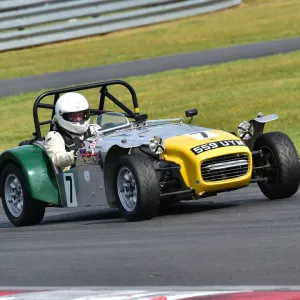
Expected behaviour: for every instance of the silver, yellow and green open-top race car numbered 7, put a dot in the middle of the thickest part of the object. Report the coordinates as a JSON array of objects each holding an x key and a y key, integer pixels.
[{"x": 136, "y": 164}]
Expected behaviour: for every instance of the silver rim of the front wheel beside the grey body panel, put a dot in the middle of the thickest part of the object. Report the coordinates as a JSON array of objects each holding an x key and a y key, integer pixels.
[{"x": 127, "y": 189}]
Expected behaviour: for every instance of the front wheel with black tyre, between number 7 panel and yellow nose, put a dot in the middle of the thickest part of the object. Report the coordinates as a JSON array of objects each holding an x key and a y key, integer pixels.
[{"x": 136, "y": 188}]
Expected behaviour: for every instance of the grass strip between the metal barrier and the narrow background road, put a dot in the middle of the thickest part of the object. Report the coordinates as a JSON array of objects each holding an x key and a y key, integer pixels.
[{"x": 253, "y": 21}]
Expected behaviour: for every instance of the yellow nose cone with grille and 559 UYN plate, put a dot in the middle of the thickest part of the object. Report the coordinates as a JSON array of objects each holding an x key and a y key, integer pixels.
[{"x": 206, "y": 149}]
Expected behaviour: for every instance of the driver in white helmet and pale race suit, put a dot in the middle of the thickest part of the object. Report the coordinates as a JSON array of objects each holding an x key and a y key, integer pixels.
[{"x": 71, "y": 125}]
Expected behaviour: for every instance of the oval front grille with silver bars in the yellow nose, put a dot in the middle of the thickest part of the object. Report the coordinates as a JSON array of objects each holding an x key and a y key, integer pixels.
[{"x": 225, "y": 167}]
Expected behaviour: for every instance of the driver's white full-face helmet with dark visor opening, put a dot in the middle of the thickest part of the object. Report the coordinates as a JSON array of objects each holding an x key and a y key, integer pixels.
[{"x": 65, "y": 112}]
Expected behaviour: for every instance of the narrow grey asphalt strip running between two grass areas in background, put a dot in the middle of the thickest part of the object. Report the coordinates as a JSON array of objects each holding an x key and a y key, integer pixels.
[{"x": 146, "y": 66}]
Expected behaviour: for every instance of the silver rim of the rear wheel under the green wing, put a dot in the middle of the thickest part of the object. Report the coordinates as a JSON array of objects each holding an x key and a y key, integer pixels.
[{"x": 13, "y": 195}]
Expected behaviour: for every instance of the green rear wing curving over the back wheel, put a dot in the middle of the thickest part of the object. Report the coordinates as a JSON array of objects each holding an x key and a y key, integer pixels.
[{"x": 38, "y": 171}]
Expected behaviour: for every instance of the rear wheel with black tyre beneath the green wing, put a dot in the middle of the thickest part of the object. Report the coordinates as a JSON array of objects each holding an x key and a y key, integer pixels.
[{"x": 20, "y": 209}]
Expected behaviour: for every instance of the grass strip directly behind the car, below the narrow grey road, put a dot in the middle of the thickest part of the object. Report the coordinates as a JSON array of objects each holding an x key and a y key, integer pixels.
[{"x": 223, "y": 94}]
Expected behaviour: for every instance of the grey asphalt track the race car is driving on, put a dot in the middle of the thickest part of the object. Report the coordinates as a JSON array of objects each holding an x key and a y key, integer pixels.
[{"x": 237, "y": 238}]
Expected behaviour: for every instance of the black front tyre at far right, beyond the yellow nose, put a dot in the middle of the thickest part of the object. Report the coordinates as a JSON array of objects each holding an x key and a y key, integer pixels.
[{"x": 282, "y": 168}]
